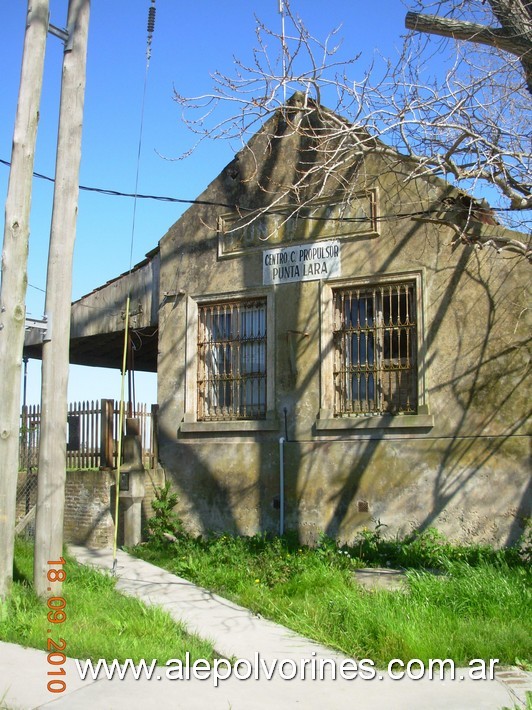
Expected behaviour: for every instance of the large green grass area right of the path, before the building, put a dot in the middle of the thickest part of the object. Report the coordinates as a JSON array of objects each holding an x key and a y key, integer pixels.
[{"x": 478, "y": 607}]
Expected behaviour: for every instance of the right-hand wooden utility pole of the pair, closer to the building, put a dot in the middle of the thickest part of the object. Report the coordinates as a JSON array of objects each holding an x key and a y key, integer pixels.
[{"x": 55, "y": 355}]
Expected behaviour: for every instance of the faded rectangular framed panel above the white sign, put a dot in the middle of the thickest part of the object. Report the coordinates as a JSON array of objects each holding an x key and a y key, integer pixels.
[{"x": 353, "y": 217}]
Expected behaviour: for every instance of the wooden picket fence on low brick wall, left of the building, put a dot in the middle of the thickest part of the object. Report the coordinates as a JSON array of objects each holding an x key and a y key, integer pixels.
[{"x": 92, "y": 434}]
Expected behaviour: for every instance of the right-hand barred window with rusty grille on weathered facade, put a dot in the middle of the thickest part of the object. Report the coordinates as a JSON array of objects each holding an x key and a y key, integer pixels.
[{"x": 375, "y": 350}]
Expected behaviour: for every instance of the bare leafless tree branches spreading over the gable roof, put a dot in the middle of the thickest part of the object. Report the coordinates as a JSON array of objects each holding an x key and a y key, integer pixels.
[{"x": 469, "y": 123}]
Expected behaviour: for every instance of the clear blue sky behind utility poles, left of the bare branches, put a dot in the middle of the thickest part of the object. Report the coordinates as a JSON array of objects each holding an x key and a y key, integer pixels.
[{"x": 191, "y": 41}]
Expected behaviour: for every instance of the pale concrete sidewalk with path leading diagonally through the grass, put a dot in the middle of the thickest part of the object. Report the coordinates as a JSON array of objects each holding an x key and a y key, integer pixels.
[{"x": 237, "y": 634}]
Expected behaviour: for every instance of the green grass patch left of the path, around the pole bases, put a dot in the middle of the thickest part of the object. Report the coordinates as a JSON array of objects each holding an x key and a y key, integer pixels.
[{"x": 100, "y": 623}]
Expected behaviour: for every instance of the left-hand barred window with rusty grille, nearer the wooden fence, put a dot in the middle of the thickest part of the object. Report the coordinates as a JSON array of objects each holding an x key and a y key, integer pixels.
[{"x": 232, "y": 360}]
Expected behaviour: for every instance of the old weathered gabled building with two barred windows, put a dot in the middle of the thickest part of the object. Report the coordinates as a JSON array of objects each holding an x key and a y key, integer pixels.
[{"x": 328, "y": 352}]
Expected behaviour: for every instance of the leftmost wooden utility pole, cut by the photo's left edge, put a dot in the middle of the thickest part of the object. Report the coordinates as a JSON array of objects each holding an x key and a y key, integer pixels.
[{"x": 14, "y": 275}]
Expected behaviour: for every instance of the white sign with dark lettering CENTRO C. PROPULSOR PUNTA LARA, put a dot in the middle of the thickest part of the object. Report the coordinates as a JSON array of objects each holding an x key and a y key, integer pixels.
[{"x": 306, "y": 262}]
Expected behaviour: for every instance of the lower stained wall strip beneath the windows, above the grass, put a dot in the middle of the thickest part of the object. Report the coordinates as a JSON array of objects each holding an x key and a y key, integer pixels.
[{"x": 475, "y": 491}]
